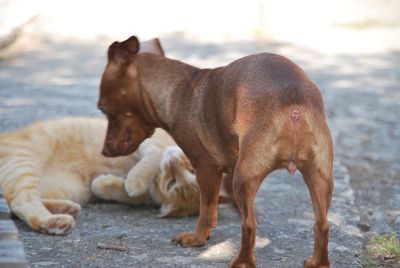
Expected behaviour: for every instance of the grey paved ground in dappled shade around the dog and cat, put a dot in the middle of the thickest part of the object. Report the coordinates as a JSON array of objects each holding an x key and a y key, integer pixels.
[{"x": 362, "y": 100}]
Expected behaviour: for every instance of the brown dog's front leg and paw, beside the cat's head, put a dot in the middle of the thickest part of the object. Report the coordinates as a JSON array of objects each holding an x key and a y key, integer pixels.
[{"x": 209, "y": 180}]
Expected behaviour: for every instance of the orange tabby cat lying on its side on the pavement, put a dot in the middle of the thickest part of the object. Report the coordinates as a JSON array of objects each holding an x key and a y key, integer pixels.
[{"x": 49, "y": 168}]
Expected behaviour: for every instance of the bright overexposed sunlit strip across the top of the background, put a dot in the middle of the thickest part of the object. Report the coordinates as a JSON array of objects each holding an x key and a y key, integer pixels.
[{"x": 341, "y": 26}]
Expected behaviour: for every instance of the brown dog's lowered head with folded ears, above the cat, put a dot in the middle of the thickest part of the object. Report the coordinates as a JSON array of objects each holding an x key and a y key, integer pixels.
[{"x": 122, "y": 100}]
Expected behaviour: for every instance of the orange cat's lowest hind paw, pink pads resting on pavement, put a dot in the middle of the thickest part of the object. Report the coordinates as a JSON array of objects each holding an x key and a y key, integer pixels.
[{"x": 57, "y": 224}]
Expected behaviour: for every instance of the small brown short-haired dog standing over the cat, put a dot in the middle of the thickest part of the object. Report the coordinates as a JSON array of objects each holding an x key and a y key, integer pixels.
[{"x": 257, "y": 114}]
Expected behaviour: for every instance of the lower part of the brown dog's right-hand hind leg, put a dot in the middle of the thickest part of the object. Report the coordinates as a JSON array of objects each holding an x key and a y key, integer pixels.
[{"x": 320, "y": 185}]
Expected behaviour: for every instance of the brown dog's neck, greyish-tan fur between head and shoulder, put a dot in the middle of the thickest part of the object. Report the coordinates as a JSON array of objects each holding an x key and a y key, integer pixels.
[{"x": 161, "y": 78}]
